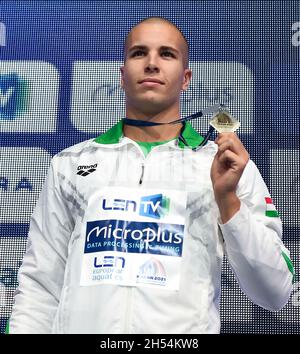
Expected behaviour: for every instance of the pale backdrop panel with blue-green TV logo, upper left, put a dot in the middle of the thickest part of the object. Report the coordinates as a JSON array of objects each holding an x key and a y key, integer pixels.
[{"x": 28, "y": 96}]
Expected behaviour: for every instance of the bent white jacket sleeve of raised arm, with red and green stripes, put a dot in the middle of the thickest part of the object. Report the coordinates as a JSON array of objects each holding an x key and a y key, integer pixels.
[{"x": 254, "y": 247}]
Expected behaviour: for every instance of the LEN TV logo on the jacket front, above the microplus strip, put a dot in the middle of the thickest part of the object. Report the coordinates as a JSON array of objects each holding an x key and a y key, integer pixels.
[{"x": 153, "y": 206}]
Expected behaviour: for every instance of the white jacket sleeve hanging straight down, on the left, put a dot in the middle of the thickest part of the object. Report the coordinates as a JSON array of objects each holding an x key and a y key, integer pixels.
[{"x": 41, "y": 274}]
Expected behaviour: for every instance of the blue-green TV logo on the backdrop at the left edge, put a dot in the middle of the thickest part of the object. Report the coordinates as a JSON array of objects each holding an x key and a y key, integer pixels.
[{"x": 13, "y": 96}]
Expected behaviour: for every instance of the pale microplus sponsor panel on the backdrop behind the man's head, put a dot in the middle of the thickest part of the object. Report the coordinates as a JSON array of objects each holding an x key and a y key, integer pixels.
[{"x": 97, "y": 95}]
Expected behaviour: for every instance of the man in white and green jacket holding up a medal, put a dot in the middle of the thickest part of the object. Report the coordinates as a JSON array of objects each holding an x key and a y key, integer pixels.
[{"x": 130, "y": 230}]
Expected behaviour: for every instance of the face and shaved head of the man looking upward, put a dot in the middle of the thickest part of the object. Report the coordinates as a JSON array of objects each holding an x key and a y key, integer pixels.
[{"x": 153, "y": 74}]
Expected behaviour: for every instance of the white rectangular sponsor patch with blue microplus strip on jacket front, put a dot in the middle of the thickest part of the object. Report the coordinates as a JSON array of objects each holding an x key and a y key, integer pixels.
[{"x": 137, "y": 239}]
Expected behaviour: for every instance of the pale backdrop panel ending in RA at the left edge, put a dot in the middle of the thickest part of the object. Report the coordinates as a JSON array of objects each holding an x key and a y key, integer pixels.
[{"x": 22, "y": 174}]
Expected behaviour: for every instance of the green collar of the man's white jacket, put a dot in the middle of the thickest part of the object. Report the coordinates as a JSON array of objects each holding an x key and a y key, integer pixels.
[{"x": 114, "y": 135}]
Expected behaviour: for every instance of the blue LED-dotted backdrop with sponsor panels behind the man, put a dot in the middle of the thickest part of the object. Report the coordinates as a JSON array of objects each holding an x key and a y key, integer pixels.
[{"x": 59, "y": 85}]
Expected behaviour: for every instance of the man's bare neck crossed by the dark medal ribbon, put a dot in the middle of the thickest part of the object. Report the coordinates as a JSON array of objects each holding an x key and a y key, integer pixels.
[{"x": 153, "y": 133}]
